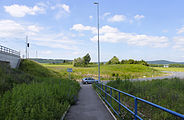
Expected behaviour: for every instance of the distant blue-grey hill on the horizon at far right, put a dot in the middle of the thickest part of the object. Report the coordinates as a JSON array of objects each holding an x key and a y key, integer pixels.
[{"x": 163, "y": 62}]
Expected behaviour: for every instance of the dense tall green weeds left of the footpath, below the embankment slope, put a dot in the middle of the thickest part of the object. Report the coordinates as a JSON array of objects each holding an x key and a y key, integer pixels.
[{"x": 47, "y": 100}]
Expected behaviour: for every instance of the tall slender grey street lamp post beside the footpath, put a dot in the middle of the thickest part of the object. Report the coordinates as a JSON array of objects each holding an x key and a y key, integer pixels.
[{"x": 98, "y": 41}]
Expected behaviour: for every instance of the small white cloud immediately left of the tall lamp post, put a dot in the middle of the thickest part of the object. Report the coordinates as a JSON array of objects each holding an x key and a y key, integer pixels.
[{"x": 80, "y": 27}]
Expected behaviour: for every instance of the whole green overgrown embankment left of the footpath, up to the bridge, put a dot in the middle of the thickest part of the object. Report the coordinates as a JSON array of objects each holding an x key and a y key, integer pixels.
[{"x": 34, "y": 92}]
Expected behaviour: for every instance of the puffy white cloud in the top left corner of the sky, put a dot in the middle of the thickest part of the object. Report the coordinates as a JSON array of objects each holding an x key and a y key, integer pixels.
[{"x": 21, "y": 10}]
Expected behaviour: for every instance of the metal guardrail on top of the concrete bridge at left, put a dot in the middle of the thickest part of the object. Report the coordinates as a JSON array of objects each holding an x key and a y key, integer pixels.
[{"x": 9, "y": 51}]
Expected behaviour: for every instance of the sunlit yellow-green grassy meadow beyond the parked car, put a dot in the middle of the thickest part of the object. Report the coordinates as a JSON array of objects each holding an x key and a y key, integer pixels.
[{"x": 108, "y": 72}]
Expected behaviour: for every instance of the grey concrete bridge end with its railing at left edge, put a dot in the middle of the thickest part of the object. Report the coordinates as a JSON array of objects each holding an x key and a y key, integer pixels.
[{"x": 9, "y": 56}]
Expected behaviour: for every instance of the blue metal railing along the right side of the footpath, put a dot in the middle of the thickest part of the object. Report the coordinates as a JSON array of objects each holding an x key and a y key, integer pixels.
[{"x": 101, "y": 90}]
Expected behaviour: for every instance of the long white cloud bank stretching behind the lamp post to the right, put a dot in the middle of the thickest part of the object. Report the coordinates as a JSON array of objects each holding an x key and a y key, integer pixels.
[{"x": 113, "y": 35}]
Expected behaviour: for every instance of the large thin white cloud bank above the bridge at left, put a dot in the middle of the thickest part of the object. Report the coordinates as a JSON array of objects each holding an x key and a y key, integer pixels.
[{"x": 11, "y": 30}]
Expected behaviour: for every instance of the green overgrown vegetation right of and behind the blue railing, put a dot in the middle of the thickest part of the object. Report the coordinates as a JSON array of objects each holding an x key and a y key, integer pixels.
[{"x": 168, "y": 93}]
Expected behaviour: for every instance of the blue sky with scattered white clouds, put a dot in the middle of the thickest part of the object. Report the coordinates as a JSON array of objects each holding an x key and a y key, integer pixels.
[{"x": 67, "y": 29}]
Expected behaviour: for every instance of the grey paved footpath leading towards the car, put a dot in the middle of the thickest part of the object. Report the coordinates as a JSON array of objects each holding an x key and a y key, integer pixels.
[{"x": 88, "y": 107}]
